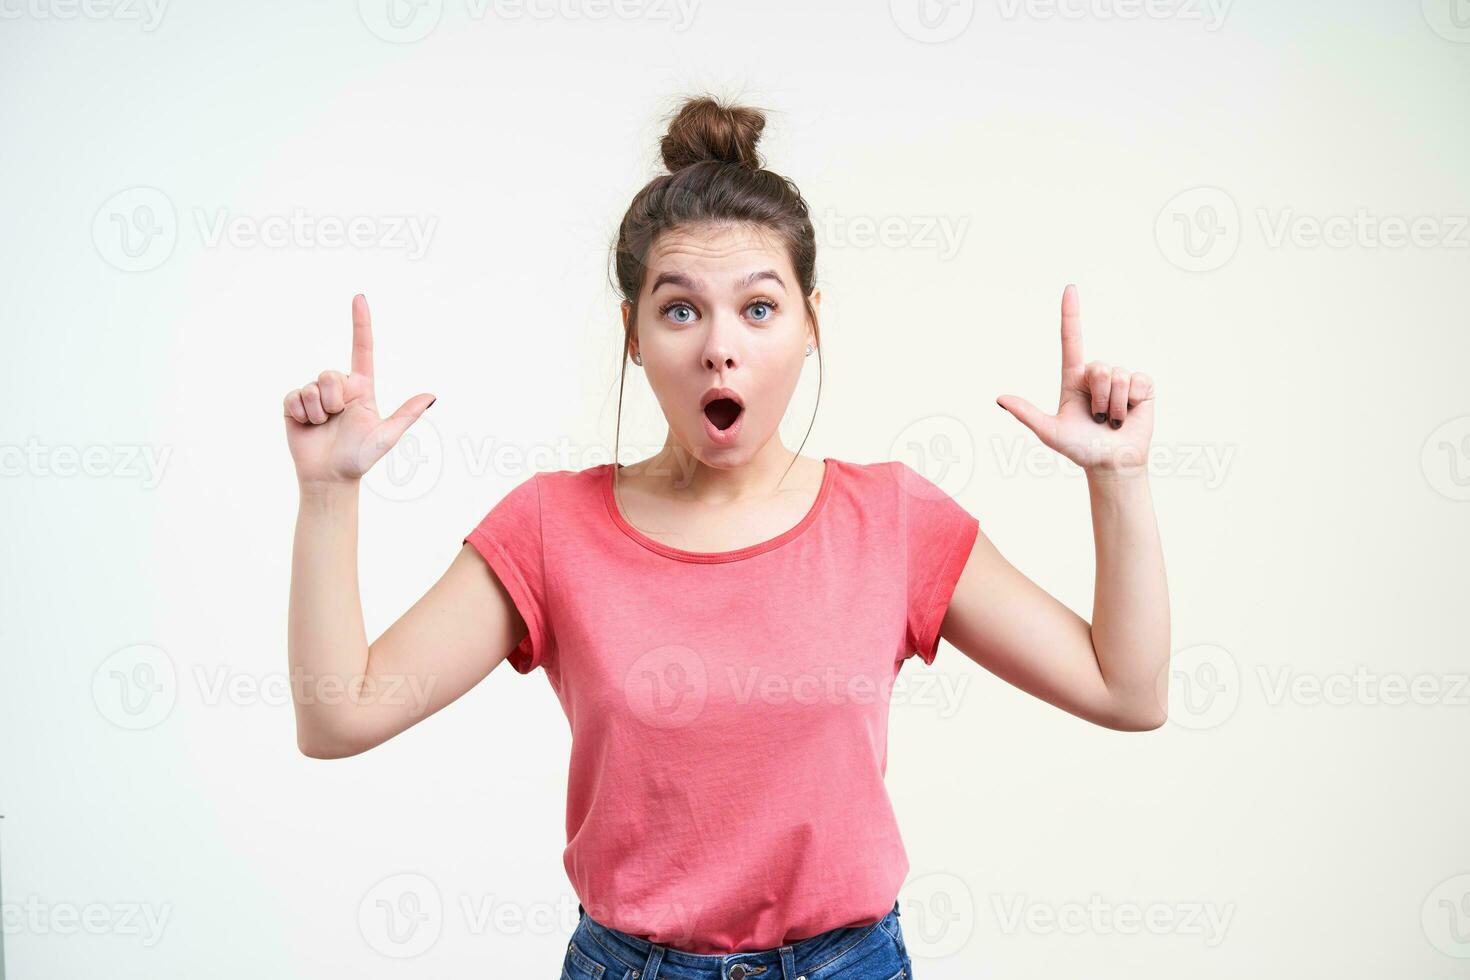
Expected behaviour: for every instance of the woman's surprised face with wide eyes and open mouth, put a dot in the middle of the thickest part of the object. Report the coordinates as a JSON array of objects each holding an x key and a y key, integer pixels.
[{"x": 721, "y": 308}]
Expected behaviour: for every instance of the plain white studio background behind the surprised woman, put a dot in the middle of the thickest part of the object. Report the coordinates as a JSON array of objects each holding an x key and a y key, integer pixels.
[{"x": 1313, "y": 414}]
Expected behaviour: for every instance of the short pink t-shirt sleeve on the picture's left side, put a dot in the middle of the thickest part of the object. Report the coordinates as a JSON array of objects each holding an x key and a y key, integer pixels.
[{"x": 511, "y": 541}]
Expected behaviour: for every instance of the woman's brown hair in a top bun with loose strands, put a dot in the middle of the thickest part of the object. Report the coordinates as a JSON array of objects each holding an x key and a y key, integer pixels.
[{"x": 715, "y": 176}]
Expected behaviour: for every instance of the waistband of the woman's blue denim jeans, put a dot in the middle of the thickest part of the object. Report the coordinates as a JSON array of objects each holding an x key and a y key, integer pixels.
[{"x": 800, "y": 957}]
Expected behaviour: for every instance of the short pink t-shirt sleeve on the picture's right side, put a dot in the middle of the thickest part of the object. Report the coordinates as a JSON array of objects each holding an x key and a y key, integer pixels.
[{"x": 939, "y": 536}]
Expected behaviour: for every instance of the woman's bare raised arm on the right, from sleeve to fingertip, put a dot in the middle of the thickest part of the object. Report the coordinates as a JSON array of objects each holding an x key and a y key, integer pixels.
[{"x": 1112, "y": 672}]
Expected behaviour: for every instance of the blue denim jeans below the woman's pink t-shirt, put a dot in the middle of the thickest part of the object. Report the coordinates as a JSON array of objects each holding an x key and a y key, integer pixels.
[{"x": 862, "y": 953}]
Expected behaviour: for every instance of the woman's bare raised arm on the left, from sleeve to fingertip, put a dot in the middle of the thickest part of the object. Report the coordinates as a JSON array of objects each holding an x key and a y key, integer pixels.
[{"x": 352, "y": 696}]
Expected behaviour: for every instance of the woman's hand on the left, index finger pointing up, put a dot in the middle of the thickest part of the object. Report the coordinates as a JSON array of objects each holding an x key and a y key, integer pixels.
[{"x": 333, "y": 425}]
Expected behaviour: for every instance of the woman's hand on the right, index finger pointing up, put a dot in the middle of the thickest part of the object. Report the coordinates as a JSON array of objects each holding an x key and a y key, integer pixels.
[{"x": 1106, "y": 415}]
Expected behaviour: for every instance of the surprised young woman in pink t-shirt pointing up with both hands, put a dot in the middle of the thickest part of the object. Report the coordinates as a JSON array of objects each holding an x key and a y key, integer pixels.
[{"x": 724, "y": 621}]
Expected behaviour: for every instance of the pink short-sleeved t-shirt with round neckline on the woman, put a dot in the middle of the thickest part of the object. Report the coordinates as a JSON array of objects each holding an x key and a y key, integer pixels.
[{"x": 730, "y": 710}]
